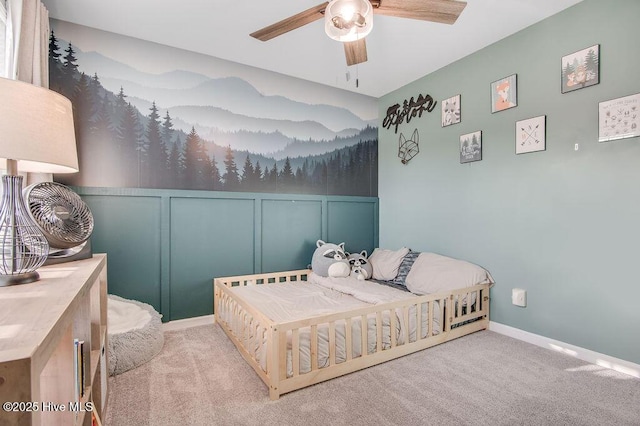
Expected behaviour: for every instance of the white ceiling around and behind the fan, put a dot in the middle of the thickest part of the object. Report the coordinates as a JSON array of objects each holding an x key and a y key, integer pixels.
[{"x": 399, "y": 50}]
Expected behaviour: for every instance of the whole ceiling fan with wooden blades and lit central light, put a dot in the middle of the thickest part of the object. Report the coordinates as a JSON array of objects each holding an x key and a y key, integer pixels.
[{"x": 350, "y": 21}]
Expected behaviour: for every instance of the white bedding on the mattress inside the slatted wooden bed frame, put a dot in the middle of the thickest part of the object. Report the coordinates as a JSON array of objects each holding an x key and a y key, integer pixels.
[{"x": 292, "y": 301}]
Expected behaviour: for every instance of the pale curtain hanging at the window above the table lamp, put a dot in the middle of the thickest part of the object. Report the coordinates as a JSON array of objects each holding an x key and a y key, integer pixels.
[{"x": 28, "y": 41}]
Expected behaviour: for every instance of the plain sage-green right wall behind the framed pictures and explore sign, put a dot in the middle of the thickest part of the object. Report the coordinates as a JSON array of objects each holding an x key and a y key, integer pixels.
[{"x": 562, "y": 224}]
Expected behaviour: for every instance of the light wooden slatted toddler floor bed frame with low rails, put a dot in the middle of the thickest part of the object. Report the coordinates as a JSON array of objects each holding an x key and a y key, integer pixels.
[{"x": 243, "y": 320}]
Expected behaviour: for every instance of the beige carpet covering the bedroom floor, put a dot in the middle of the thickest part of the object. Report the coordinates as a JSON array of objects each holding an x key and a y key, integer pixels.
[{"x": 486, "y": 378}]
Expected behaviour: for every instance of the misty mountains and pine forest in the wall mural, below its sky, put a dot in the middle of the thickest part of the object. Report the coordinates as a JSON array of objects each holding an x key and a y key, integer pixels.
[{"x": 170, "y": 141}]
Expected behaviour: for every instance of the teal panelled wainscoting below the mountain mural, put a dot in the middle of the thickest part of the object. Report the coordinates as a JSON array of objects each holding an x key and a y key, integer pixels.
[{"x": 165, "y": 246}]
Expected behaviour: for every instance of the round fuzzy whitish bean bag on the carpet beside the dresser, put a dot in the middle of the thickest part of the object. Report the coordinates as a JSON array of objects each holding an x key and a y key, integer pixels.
[{"x": 134, "y": 333}]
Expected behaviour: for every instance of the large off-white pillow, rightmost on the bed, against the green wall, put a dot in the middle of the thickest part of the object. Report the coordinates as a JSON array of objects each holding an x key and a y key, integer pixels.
[{"x": 434, "y": 273}]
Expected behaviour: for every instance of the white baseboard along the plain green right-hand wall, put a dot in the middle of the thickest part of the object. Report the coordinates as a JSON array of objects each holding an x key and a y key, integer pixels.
[{"x": 587, "y": 355}]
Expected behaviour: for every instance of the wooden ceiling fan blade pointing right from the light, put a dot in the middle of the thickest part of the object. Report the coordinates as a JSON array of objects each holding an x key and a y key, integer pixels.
[{"x": 442, "y": 11}]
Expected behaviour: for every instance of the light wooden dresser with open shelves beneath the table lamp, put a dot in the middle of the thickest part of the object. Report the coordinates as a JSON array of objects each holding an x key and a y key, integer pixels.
[{"x": 46, "y": 329}]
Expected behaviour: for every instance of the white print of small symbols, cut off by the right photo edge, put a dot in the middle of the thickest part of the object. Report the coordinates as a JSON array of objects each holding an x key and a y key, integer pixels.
[{"x": 619, "y": 118}]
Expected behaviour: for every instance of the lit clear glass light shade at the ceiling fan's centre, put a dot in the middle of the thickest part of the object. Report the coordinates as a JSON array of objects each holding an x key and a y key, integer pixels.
[{"x": 348, "y": 20}]
